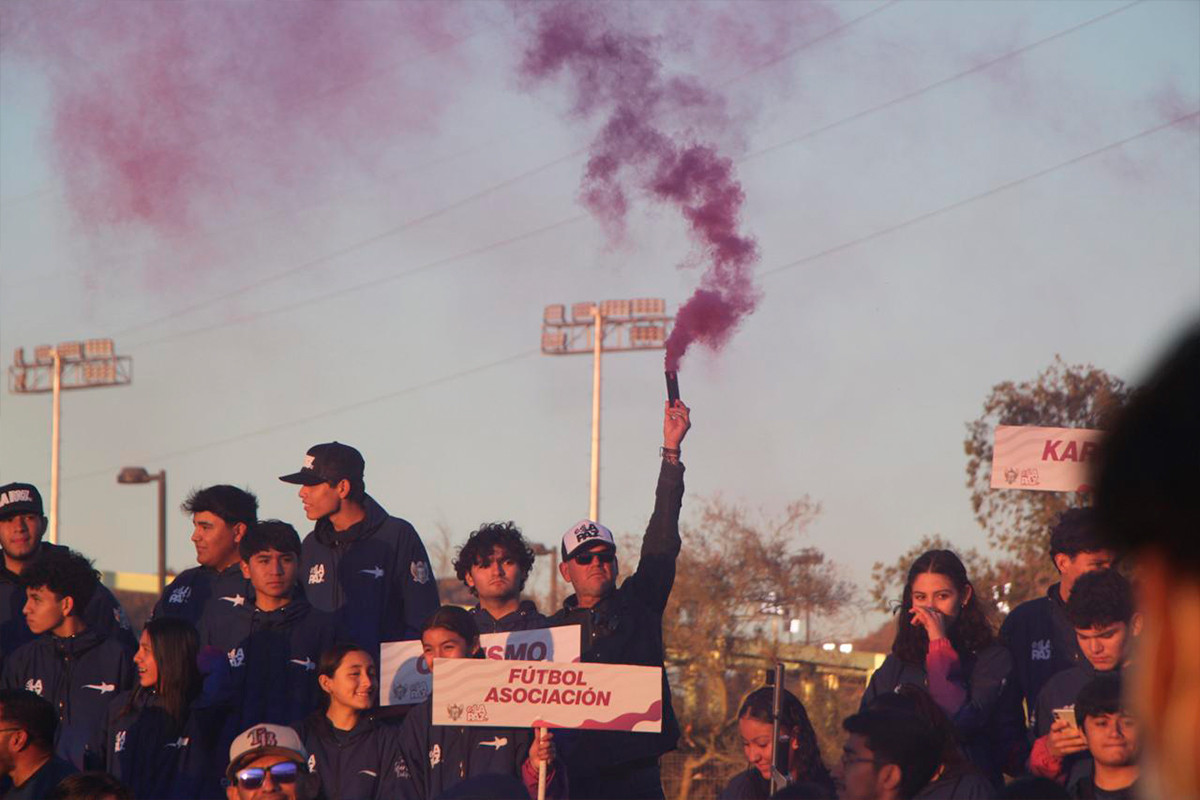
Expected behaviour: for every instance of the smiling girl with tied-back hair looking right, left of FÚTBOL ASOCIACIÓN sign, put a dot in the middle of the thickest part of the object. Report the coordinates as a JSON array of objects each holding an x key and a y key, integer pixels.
[{"x": 356, "y": 756}]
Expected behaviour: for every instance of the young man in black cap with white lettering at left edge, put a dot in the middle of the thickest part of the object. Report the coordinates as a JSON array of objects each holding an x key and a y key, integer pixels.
[{"x": 22, "y": 527}]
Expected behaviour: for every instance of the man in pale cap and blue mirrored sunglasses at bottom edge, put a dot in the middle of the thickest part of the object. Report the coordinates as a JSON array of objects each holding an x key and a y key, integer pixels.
[{"x": 269, "y": 762}]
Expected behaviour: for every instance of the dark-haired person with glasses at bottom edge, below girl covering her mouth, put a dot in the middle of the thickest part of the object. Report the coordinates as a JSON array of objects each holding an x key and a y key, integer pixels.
[{"x": 887, "y": 756}]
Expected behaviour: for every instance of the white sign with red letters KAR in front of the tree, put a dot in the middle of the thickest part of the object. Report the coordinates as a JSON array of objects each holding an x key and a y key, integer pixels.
[{"x": 1046, "y": 460}]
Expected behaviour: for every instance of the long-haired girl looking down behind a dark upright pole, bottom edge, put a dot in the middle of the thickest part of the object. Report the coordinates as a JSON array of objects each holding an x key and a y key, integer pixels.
[{"x": 796, "y": 738}]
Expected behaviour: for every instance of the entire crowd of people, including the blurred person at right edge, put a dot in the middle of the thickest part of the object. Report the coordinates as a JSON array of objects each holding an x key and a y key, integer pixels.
[{"x": 257, "y": 675}]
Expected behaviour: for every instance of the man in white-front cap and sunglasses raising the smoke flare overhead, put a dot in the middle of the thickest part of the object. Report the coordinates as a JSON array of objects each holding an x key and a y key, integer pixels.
[{"x": 625, "y": 627}]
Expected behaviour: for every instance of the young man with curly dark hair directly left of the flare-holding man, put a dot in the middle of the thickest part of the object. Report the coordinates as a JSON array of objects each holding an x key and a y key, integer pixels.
[{"x": 495, "y": 564}]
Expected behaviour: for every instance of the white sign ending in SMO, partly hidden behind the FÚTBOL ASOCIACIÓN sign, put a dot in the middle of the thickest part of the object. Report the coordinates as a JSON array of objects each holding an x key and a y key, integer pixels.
[{"x": 405, "y": 679}]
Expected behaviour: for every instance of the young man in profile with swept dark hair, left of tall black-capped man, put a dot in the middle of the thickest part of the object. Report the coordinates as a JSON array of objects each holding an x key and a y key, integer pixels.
[{"x": 221, "y": 516}]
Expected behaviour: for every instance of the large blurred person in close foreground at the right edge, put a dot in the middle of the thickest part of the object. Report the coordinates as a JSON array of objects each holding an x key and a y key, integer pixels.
[{"x": 1149, "y": 504}]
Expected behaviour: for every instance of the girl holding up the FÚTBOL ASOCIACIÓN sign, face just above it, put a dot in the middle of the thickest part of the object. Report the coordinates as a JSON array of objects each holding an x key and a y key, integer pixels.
[{"x": 442, "y": 757}]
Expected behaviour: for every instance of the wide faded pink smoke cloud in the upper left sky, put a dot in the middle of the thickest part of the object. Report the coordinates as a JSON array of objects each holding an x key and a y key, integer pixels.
[{"x": 165, "y": 112}]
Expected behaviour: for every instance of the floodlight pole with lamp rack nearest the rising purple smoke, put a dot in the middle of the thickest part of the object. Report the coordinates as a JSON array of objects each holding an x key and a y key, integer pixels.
[{"x": 611, "y": 327}]
